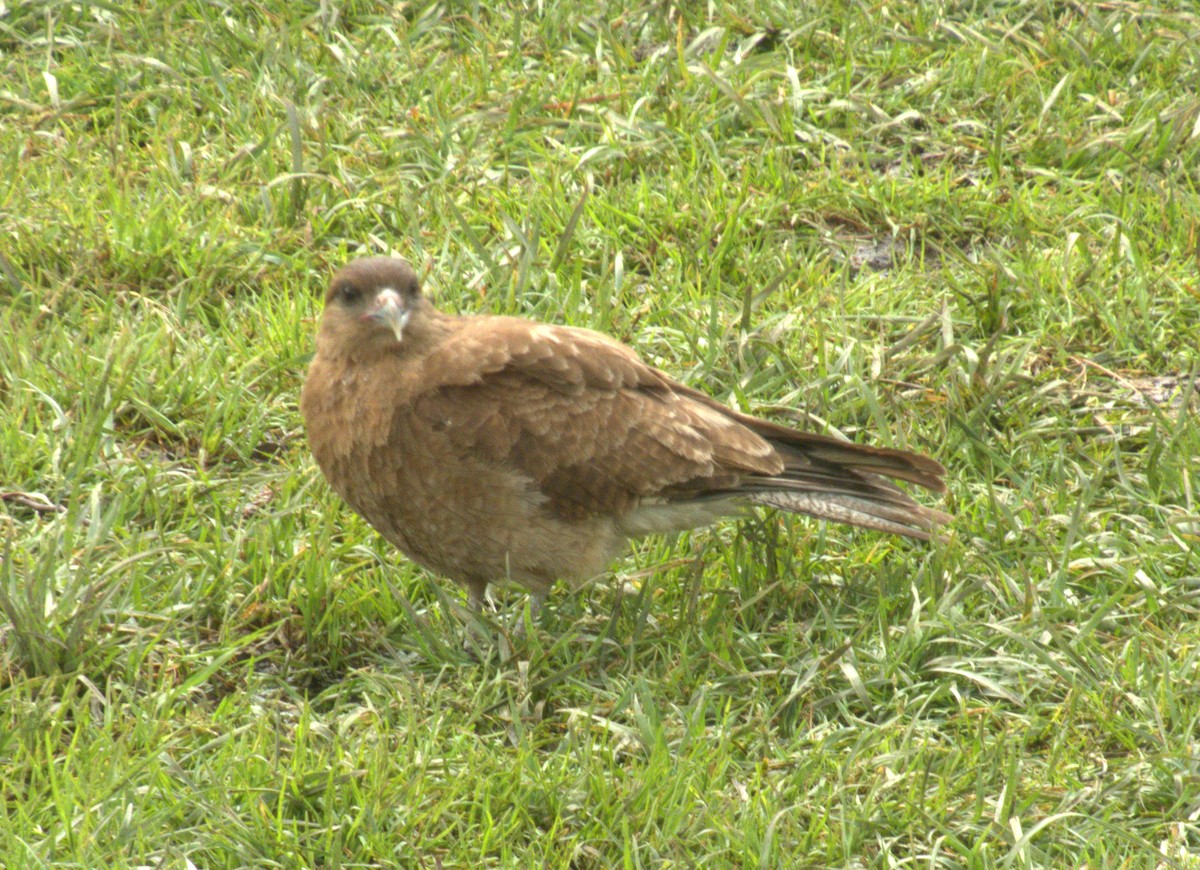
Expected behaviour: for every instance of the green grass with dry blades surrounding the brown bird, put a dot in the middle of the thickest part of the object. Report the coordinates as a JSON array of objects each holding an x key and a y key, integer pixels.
[{"x": 207, "y": 661}]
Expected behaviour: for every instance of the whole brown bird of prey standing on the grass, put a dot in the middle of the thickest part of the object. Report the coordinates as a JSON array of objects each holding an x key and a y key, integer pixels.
[{"x": 494, "y": 448}]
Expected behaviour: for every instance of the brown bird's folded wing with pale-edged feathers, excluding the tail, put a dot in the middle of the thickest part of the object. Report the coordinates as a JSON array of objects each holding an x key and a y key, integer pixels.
[{"x": 593, "y": 427}]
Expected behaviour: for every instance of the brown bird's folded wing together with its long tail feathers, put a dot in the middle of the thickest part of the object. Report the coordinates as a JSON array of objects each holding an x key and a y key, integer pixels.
[{"x": 598, "y": 433}]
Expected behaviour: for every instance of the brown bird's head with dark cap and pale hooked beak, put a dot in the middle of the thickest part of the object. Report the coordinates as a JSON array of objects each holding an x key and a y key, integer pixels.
[{"x": 371, "y": 303}]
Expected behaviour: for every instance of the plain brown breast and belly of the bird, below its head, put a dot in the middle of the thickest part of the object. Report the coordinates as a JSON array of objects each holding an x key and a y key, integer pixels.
[{"x": 463, "y": 513}]
